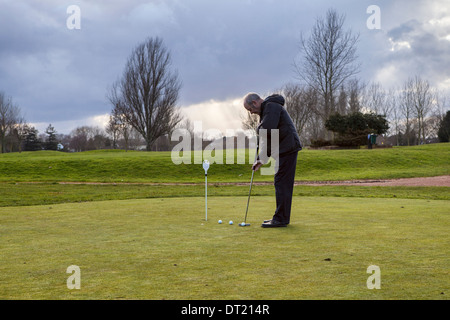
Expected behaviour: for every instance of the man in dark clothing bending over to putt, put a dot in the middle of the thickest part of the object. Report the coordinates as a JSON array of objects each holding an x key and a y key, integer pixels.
[{"x": 274, "y": 116}]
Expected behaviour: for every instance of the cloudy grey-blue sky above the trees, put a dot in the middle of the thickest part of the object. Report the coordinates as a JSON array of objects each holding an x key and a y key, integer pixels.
[{"x": 222, "y": 49}]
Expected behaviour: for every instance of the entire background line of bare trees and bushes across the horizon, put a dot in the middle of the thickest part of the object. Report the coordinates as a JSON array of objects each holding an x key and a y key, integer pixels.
[{"x": 328, "y": 103}]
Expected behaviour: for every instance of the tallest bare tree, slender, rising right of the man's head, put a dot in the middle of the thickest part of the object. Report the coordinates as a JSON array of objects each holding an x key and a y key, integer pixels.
[{"x": 329, "y": 56}]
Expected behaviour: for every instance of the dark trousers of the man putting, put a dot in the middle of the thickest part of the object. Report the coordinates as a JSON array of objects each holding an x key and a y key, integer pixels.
[{"x": 284, "y": 187}]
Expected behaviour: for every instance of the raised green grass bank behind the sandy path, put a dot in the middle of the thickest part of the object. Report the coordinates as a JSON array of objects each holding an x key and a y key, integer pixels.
[{"x": 119, "y": 166}]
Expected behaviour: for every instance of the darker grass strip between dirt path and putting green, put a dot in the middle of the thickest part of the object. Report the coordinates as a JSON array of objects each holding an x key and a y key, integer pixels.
[{"x": 26, "y": 194}]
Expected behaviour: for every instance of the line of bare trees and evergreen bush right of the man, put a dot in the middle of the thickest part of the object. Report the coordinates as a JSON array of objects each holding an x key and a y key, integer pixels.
[{"x": 328, "y": 90}]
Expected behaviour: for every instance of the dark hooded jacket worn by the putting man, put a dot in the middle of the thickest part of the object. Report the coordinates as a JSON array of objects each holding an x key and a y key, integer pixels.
[{"x": 274, "y": 116}]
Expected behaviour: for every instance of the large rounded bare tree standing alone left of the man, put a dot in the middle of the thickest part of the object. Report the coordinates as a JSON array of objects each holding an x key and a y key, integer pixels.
[{"x": 147, "y": 93}]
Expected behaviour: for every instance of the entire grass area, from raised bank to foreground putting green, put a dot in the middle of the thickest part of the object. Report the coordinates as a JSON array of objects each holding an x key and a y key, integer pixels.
[{"x": 146, "y": 241}]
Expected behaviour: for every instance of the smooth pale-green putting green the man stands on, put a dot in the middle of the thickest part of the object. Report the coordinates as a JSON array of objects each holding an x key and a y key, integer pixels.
[{"x": 163, "y": 249}]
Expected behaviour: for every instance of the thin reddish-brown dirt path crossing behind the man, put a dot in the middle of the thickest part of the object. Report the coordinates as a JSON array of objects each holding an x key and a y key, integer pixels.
[{"x": 439, "y": 181}]
